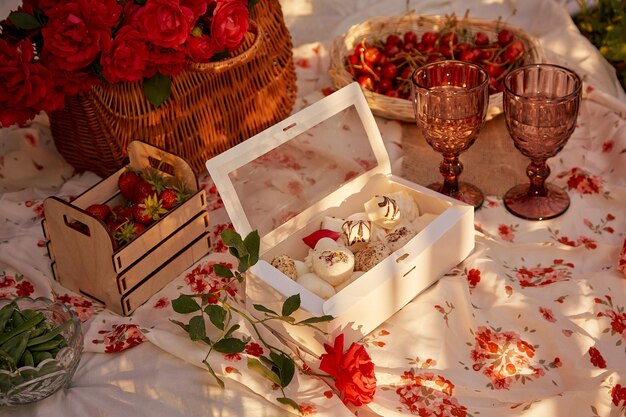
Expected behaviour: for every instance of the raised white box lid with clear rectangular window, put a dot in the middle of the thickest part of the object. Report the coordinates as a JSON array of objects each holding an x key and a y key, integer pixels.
[{"x": 281, "y": 178}]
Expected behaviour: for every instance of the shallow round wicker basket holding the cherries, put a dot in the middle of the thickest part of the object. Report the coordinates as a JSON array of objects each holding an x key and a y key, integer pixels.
[{"x": 378, "y": 28}]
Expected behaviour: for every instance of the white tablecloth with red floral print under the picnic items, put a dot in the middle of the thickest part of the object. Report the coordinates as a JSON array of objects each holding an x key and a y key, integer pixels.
[{"x": 532, "y": 323}]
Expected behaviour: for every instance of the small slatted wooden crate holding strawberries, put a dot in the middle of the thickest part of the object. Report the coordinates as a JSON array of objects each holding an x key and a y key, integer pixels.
[{"x": 123, "y": 278}]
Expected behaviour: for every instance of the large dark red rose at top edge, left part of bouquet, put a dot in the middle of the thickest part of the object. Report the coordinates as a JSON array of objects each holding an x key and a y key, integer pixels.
[{"x": 71, "y": 37}]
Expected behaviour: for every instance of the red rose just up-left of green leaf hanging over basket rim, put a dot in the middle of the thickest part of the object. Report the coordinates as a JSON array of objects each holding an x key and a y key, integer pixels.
[{"x": 127, "y": 57}]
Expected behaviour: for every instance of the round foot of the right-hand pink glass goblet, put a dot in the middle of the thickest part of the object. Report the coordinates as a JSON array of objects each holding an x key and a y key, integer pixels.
[{"x": 519, "y": 203}]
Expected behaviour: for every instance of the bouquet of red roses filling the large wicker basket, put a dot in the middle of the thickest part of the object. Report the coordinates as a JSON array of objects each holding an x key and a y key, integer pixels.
[{"x": 50, "y": 49}]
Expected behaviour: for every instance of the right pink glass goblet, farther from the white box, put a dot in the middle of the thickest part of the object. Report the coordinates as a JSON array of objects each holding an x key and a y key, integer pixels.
[{"x": 540, "y": 108}]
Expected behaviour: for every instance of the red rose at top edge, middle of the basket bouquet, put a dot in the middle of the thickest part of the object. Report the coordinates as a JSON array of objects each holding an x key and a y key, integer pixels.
[{"x": 165, "y": 23}]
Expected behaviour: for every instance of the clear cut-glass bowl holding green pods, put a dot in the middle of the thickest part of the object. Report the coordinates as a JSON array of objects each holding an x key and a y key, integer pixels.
[{"x": 28, "y": 384}]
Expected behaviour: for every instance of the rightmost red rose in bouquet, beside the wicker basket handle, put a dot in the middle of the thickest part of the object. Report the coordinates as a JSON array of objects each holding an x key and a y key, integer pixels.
[{"x": 230, "y": 23}]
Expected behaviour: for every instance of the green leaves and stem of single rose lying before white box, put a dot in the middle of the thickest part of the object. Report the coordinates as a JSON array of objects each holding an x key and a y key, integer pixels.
[{"x": 278, "y": 366}]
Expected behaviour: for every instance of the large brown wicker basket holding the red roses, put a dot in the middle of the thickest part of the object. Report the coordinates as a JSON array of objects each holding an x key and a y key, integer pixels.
[{"x": 212, "y": 107}]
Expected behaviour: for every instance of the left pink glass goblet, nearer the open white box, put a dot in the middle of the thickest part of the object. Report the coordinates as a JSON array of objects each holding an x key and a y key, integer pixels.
[{"x": 450, "y": 101}]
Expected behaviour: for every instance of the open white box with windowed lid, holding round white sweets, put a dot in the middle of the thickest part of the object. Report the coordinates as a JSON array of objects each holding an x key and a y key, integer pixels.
[{"x": 375, "y": 296}]
